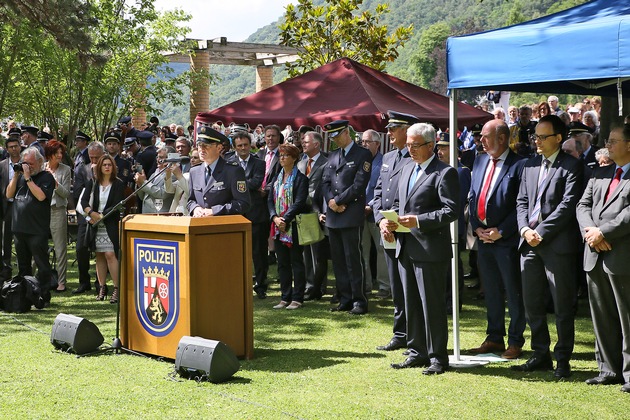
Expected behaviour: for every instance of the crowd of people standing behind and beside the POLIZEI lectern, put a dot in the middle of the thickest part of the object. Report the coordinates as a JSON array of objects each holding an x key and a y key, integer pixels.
[{"x": 515, "y": 189}]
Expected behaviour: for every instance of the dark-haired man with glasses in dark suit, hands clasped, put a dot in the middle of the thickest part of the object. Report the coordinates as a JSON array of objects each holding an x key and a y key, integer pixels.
[{"x": 551, "y": 185}]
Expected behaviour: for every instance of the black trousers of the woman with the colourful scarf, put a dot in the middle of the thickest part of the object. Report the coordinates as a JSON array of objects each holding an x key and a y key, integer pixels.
[{"x": 290, "y": 271}]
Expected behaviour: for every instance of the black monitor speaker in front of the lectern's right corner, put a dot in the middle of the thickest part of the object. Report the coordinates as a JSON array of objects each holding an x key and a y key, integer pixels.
[{"x": 198, "y": 356}]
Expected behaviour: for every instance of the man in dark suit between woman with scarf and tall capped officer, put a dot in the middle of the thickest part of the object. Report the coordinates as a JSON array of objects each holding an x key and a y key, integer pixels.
[{"x": 315, "y": 255}]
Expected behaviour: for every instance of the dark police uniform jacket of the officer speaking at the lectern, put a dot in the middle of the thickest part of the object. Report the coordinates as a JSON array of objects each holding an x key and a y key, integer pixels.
[{"x": 225, "y": 193}]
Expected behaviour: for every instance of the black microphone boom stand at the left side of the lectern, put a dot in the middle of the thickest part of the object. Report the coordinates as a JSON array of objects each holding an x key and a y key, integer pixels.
[{"x": 117, "y": 345}]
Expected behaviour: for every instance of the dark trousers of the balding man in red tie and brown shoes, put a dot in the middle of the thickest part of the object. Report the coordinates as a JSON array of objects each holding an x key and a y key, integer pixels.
[{"x": 499, "y": 267}]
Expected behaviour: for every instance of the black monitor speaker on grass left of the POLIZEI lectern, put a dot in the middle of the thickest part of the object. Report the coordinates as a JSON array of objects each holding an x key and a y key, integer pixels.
[{"x": 78, "y": 335}]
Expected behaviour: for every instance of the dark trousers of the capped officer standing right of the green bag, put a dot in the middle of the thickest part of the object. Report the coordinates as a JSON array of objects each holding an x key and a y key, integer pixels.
[{"x": 345, "y": 249}]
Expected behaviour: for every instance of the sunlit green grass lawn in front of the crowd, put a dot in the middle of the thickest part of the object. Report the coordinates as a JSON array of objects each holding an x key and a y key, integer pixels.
[{"x": 308, "y": 363}]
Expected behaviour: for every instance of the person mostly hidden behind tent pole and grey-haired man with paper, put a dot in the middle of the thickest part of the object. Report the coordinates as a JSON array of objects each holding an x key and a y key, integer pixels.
[{"x": 463, "y": 175}]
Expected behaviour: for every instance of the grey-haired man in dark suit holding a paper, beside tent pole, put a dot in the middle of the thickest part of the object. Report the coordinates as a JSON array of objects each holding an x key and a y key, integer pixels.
[{"x": 428, "y": 197}]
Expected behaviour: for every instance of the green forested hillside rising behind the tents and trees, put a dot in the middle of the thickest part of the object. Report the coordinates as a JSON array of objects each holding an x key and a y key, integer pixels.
[{"x": 422, "y": 59}]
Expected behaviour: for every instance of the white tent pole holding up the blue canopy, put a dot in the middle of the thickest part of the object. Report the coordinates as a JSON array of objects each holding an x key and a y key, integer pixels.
[{"x": 454, "y": 234}]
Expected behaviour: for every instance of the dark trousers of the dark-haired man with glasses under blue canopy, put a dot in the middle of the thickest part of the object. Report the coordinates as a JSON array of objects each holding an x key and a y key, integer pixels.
[{"x": 543, "y": 271}]
